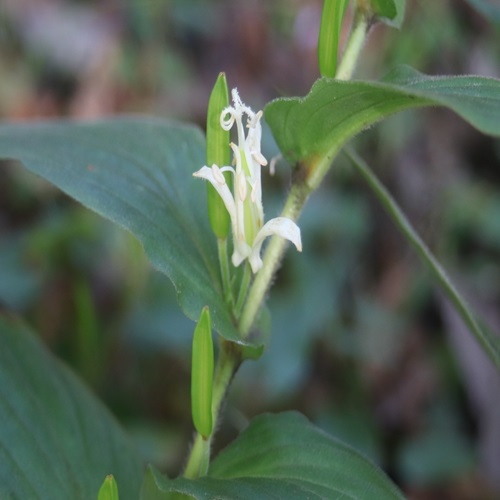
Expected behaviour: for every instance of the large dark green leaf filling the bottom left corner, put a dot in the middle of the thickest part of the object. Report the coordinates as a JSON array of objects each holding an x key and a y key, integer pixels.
[{"x": 56, "y": 439}]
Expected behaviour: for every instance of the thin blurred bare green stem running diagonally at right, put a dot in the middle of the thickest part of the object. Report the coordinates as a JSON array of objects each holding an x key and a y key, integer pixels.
[{"x": 423, "y": 251}]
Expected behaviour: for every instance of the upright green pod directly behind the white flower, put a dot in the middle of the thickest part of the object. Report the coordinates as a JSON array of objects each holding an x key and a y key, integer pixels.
[{"x": 218, "y": 153}]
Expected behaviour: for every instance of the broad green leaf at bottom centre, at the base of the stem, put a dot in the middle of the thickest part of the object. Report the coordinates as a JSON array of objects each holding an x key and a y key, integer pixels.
[{"x": 281, "y": 456}]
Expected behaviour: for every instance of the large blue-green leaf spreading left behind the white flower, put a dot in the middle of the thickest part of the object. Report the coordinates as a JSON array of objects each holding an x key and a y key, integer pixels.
[{"x": 137, "y": 172}]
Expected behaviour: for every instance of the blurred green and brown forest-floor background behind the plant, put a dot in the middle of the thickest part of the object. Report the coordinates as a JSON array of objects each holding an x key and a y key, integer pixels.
[{"x": 362, "y": 341}]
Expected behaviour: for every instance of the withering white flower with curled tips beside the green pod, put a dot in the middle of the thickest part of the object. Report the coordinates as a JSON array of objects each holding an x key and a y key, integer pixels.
[{"x": 245, "y": 204}]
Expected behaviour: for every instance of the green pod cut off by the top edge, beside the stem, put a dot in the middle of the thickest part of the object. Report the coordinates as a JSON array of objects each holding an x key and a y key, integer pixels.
[{"x": 329, "y": 35}]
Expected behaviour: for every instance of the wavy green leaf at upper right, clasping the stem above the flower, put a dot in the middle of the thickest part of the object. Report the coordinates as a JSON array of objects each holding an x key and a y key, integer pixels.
[{"x": 318, "y": 125}]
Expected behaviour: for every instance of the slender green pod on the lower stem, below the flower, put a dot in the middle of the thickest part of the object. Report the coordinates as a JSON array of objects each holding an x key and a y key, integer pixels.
[{"x": 202, "y": 375}]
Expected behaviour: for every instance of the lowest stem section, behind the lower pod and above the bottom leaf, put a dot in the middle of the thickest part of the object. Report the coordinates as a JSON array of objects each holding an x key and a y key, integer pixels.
[{"x": 228, "y": 362}]
